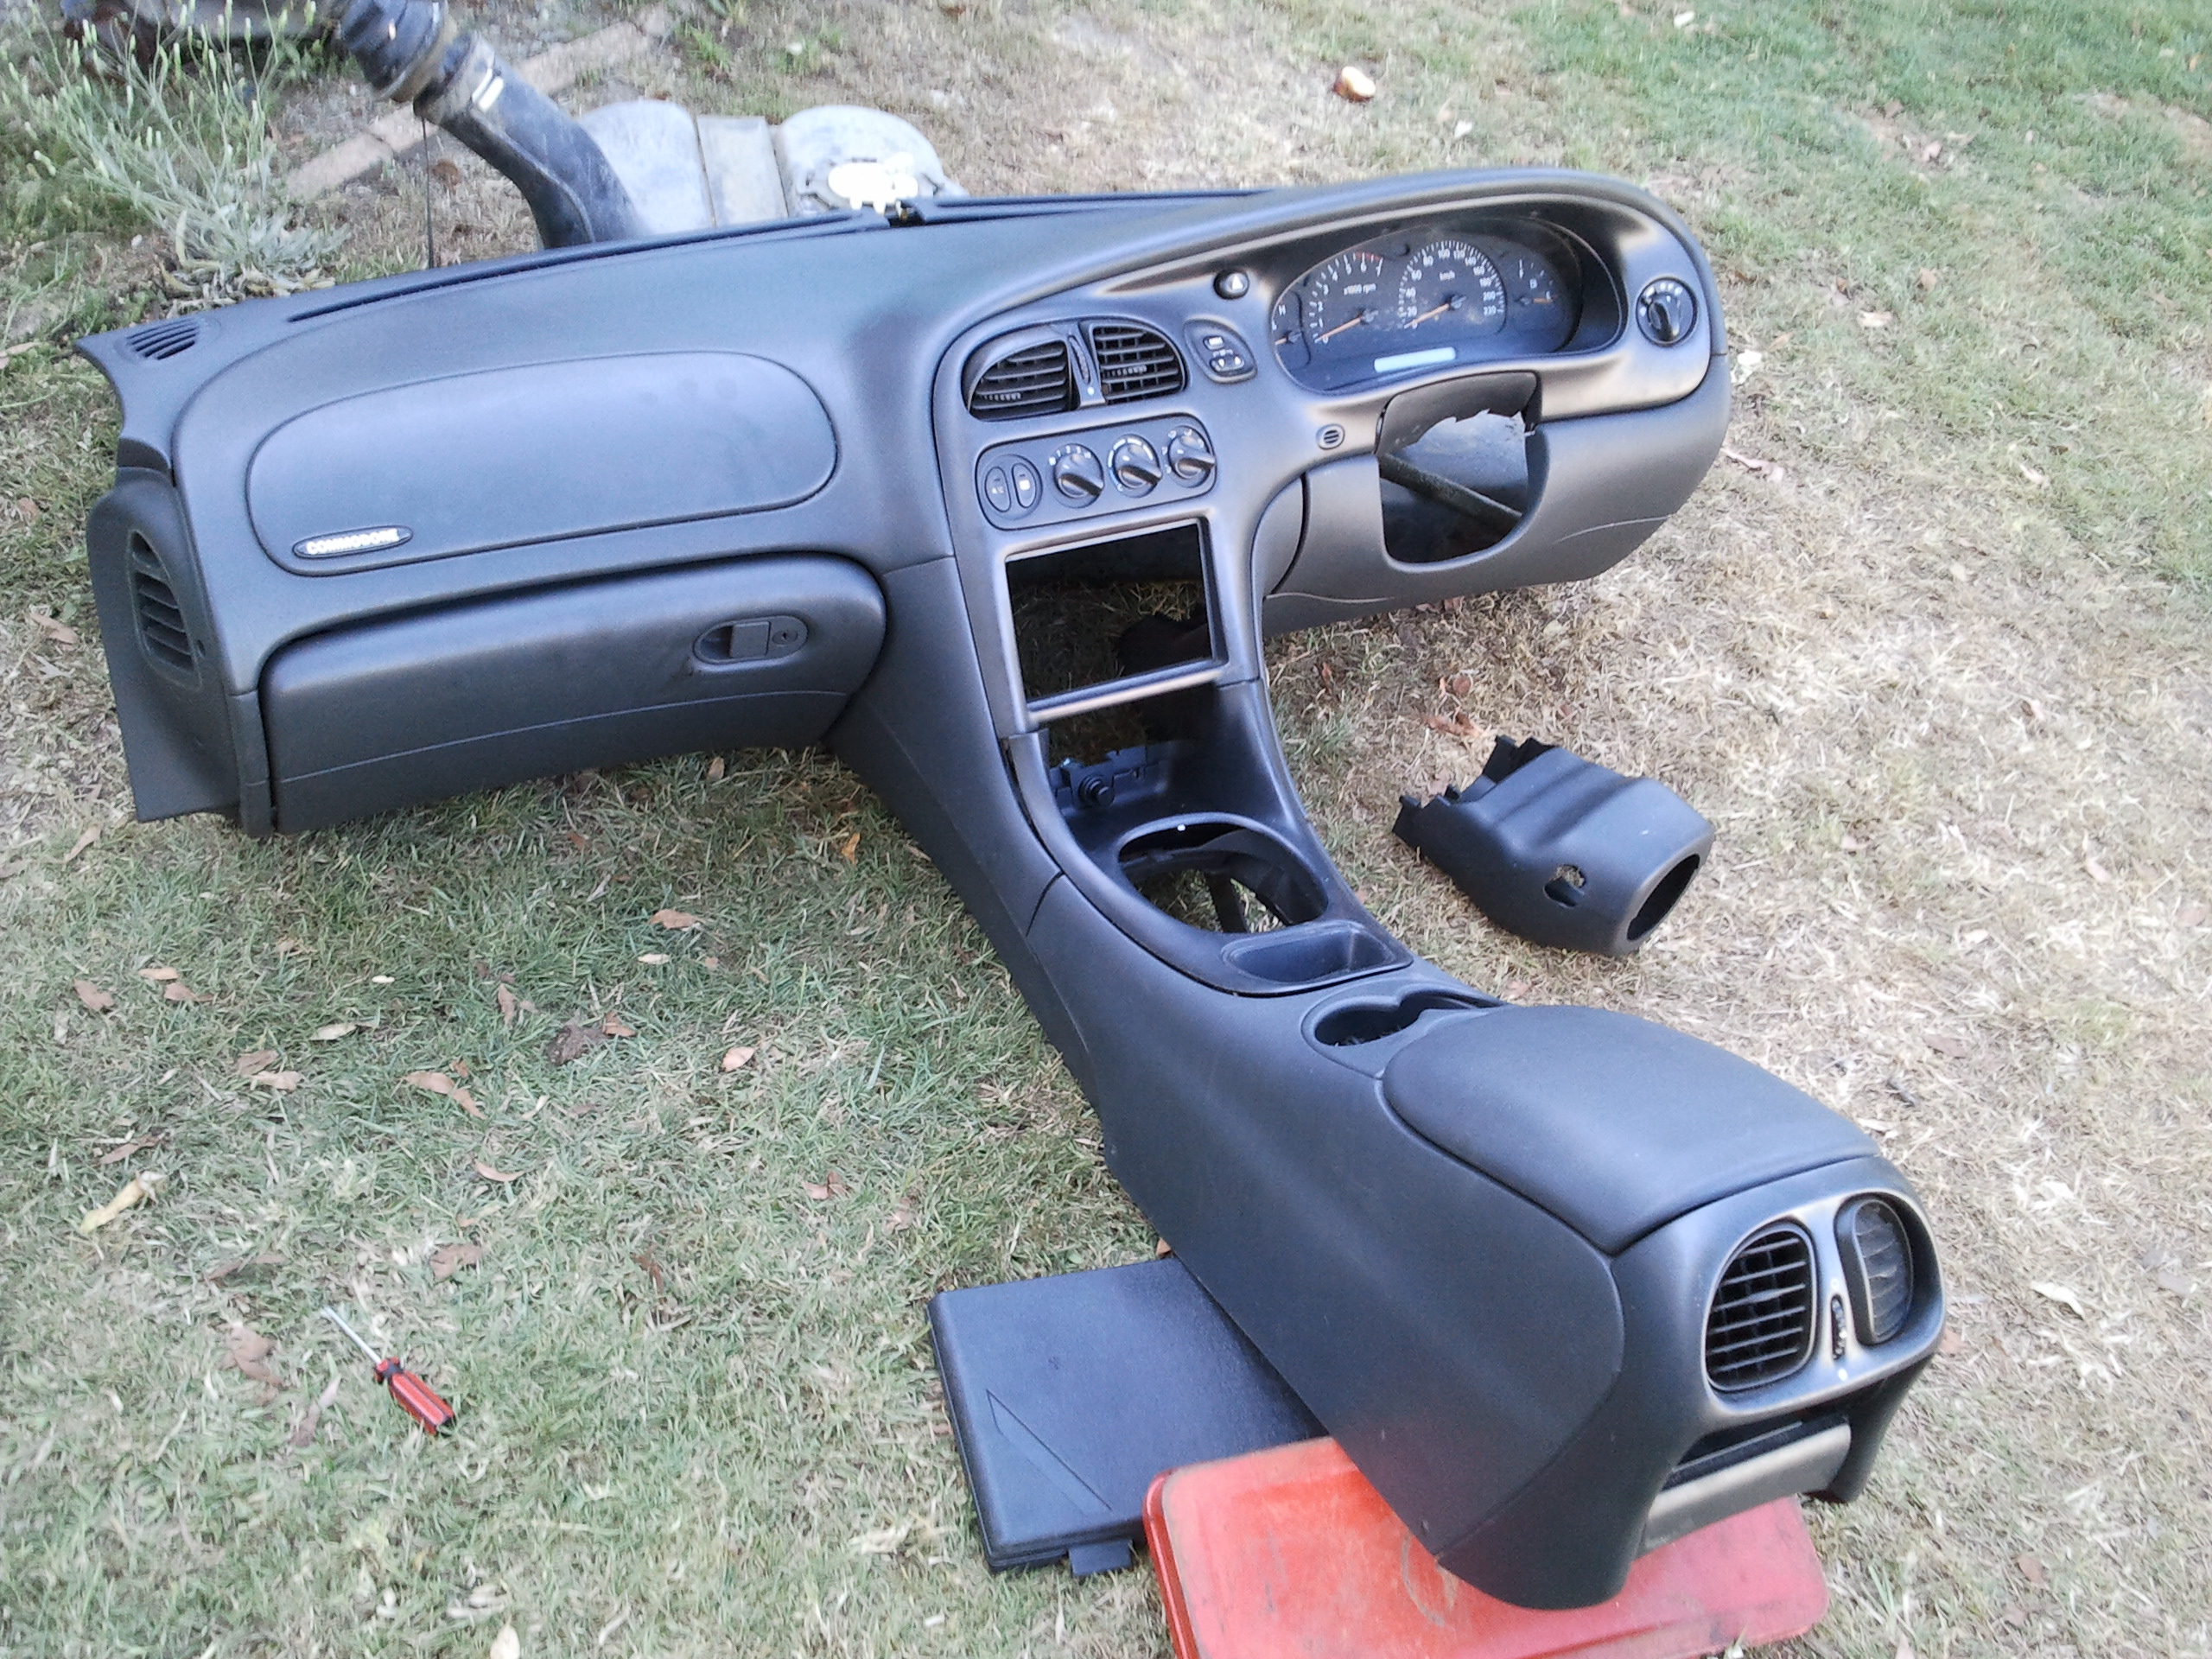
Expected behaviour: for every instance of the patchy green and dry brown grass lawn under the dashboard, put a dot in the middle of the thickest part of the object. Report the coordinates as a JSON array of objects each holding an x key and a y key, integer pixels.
[{"x": 1930, "y": 649}]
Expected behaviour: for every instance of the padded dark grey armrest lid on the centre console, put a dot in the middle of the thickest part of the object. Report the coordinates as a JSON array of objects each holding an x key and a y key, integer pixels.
[{"x": 1614, "y": 1125}]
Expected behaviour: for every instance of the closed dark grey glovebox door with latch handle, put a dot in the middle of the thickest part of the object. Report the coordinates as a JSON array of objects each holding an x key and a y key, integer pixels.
[{"x": 751, "y": 654}]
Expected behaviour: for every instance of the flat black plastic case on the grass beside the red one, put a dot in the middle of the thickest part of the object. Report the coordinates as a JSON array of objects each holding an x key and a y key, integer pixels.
[{"x": 1070, "y": 1395}]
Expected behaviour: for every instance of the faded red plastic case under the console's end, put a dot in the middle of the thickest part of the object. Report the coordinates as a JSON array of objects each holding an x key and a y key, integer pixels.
[{"x": 1291, "y": 1554}]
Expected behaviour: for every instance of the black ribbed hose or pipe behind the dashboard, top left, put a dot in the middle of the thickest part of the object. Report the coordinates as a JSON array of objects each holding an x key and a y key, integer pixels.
[{"x": 410, "y": 54}]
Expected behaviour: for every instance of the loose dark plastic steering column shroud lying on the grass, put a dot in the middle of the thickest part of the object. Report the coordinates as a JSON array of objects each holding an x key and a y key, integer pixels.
[{"x": 1563, "y": 851}]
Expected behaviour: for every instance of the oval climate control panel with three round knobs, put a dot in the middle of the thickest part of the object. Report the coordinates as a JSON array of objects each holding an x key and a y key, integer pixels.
[{"x": 1103, "y": 470}]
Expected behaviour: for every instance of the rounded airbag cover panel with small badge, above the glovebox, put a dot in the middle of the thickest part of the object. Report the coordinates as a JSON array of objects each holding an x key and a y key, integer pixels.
[{"x": 541, "y": 452}]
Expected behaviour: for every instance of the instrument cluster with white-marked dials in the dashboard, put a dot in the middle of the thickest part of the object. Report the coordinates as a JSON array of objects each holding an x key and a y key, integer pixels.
[{"x": 1423, "y": 300}]
